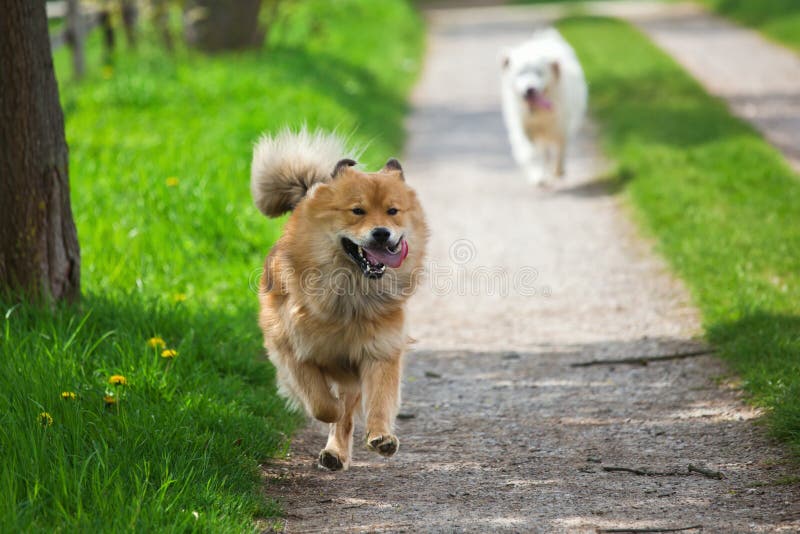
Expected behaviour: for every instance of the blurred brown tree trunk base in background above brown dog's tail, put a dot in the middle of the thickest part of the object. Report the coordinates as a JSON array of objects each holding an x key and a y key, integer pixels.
[{"x": 217, "y": 25}]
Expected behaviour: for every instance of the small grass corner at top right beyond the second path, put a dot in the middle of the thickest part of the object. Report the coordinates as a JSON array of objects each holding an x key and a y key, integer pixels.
[{"x": 779, "y": 19}]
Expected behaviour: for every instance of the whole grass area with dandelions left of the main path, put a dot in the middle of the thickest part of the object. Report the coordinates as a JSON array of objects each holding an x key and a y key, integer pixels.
[{"x": 179, "y": 261}]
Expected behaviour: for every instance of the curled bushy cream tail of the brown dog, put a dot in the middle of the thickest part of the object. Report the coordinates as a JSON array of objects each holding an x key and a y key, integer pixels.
[{"x": 286, "y": 165}]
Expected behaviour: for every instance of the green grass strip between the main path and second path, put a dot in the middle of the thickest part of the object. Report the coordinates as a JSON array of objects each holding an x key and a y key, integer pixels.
[{"x": 721, "y": 203}]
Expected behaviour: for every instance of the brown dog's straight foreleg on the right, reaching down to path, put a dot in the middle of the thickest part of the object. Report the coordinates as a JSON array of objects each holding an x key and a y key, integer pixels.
[{"x": 381, "y": 388}]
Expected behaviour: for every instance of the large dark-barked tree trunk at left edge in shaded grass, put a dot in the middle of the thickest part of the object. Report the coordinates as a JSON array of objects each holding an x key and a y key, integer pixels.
[{"x": 39, "y": 254}]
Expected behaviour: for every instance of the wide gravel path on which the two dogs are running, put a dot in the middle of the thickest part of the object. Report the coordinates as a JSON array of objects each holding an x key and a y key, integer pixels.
[{"x": 500, "y": 431}]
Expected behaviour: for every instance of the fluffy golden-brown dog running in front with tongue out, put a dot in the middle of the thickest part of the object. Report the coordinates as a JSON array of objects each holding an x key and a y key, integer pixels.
[{"x": 335, "y": 284}]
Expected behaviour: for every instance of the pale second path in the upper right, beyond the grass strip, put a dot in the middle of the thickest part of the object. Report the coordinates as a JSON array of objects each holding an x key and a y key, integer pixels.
[{"x": 759, "y": 79}]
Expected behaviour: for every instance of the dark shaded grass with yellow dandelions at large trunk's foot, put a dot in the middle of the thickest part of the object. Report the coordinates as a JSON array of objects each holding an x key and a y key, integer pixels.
[{"x": 183, "y": 435}]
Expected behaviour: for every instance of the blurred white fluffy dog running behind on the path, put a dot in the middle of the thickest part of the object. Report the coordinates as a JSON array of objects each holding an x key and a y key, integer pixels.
[{"x": 544, "y": 101}]
